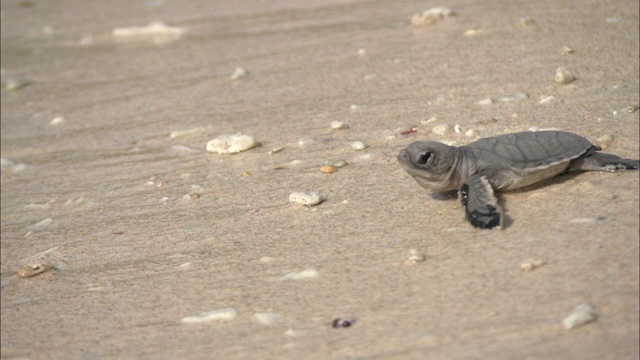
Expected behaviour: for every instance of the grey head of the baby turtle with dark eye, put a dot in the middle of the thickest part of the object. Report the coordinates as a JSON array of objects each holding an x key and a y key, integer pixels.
[{"x": 431, "y": 164}]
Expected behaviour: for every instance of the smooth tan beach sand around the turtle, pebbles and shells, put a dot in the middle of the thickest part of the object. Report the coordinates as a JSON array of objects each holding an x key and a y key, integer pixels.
[{"x": 135, "y": 257}]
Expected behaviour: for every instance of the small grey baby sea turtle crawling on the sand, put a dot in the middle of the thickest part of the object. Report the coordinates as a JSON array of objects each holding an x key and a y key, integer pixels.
[{"x": 502, "y": 163}]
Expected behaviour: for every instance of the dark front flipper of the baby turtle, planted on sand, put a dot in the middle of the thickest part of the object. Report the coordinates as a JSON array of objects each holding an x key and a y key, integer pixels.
[{"x": 479, "y": 202}]
